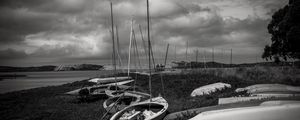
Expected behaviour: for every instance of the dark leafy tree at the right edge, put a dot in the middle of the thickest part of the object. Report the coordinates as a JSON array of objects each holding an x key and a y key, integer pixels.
[{"x": 285, "y": 30}]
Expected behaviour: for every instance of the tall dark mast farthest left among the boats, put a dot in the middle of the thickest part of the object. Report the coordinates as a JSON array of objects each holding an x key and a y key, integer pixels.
[{"x": 113, "y": 39}]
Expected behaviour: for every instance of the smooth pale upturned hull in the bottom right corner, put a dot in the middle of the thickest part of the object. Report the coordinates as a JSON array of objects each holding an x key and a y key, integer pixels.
[{"x": 271, "y": 110}]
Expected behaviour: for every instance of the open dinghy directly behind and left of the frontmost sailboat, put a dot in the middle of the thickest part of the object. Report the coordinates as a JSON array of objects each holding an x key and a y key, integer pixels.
[{"x": 119, "y": 102}]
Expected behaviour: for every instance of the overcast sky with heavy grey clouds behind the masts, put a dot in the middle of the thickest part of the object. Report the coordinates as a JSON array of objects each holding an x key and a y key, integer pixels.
[{"x": 44, "y": 32}]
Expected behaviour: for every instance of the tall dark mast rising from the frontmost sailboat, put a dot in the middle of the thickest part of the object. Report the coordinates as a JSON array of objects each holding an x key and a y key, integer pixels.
[{"x": 149, "y": 49}]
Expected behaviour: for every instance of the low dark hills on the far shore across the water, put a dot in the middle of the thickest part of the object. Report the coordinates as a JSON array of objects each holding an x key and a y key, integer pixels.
[{"x": 51, "y": 68}]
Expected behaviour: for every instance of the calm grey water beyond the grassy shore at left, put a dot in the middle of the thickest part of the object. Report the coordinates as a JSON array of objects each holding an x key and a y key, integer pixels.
[{"x": 42, "y": 79}]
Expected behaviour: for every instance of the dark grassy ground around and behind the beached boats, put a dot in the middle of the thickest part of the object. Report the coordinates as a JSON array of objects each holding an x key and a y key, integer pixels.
[{"x": 47, "y": 102}]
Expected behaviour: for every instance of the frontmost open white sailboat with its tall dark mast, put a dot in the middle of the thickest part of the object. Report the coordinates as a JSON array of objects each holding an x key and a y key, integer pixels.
[{"x": 151, "y": 109}]
